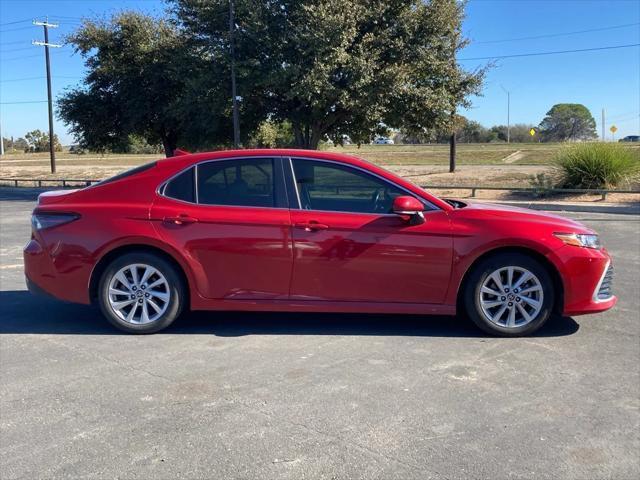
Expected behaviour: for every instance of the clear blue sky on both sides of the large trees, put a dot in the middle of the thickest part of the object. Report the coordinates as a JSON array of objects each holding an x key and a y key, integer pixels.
[{"x": 607, "y": 79}]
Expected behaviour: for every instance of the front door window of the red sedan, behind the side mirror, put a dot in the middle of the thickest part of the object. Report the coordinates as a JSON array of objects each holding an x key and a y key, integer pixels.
[{"x": 332, "y": 187}]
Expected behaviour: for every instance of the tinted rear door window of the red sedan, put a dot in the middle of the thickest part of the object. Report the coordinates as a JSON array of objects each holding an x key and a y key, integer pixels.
[{"x": 244, "y": 182}]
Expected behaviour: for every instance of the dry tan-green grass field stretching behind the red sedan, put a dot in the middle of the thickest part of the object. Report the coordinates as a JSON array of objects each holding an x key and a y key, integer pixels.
[{"x": 477, "y": 164}]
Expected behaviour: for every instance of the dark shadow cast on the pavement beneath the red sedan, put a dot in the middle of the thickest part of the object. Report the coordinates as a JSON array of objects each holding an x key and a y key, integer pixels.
[{"x": 23, "y": 313}]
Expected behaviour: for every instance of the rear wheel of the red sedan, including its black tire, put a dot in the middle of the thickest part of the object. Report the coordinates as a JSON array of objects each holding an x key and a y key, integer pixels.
[{"x": 158, "y": 300}]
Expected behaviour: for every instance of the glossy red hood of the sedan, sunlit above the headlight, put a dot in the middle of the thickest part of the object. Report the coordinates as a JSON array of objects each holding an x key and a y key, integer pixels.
[{"x": 527, "y": 215}]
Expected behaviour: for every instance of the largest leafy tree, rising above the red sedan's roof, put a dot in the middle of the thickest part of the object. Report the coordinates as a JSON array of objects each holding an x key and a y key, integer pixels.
[{"x": 340, "y": 67}]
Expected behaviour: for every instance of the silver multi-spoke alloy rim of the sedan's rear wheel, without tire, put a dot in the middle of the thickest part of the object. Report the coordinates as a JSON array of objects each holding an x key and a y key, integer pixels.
[{"x": 142, "y": 305}]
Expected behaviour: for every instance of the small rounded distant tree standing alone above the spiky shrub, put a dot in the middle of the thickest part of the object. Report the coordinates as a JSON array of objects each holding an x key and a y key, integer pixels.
[{"x": 568, "y": 121}]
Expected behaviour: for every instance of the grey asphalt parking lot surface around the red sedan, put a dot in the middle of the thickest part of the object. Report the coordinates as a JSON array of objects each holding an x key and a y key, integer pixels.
[{"x": 250, "y": 395}]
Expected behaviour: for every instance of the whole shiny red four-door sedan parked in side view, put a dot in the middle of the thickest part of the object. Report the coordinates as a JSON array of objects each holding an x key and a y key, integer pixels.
[{"x": 305, "y": 231}]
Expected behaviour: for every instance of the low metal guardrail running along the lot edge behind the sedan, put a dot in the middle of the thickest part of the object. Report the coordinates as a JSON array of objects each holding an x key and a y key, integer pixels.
[{"x": 66, "y": 182}]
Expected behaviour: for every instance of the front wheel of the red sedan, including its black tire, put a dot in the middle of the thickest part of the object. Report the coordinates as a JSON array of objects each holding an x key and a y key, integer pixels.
[{"x": 531, "y": 300}]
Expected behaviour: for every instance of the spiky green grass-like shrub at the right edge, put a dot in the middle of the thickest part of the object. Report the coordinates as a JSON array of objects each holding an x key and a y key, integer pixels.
[{"x": 597, "y": 165}]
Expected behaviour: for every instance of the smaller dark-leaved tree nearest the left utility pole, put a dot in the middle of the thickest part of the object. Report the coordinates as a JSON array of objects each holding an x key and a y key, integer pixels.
[{"x": 142, "y": 80}]
